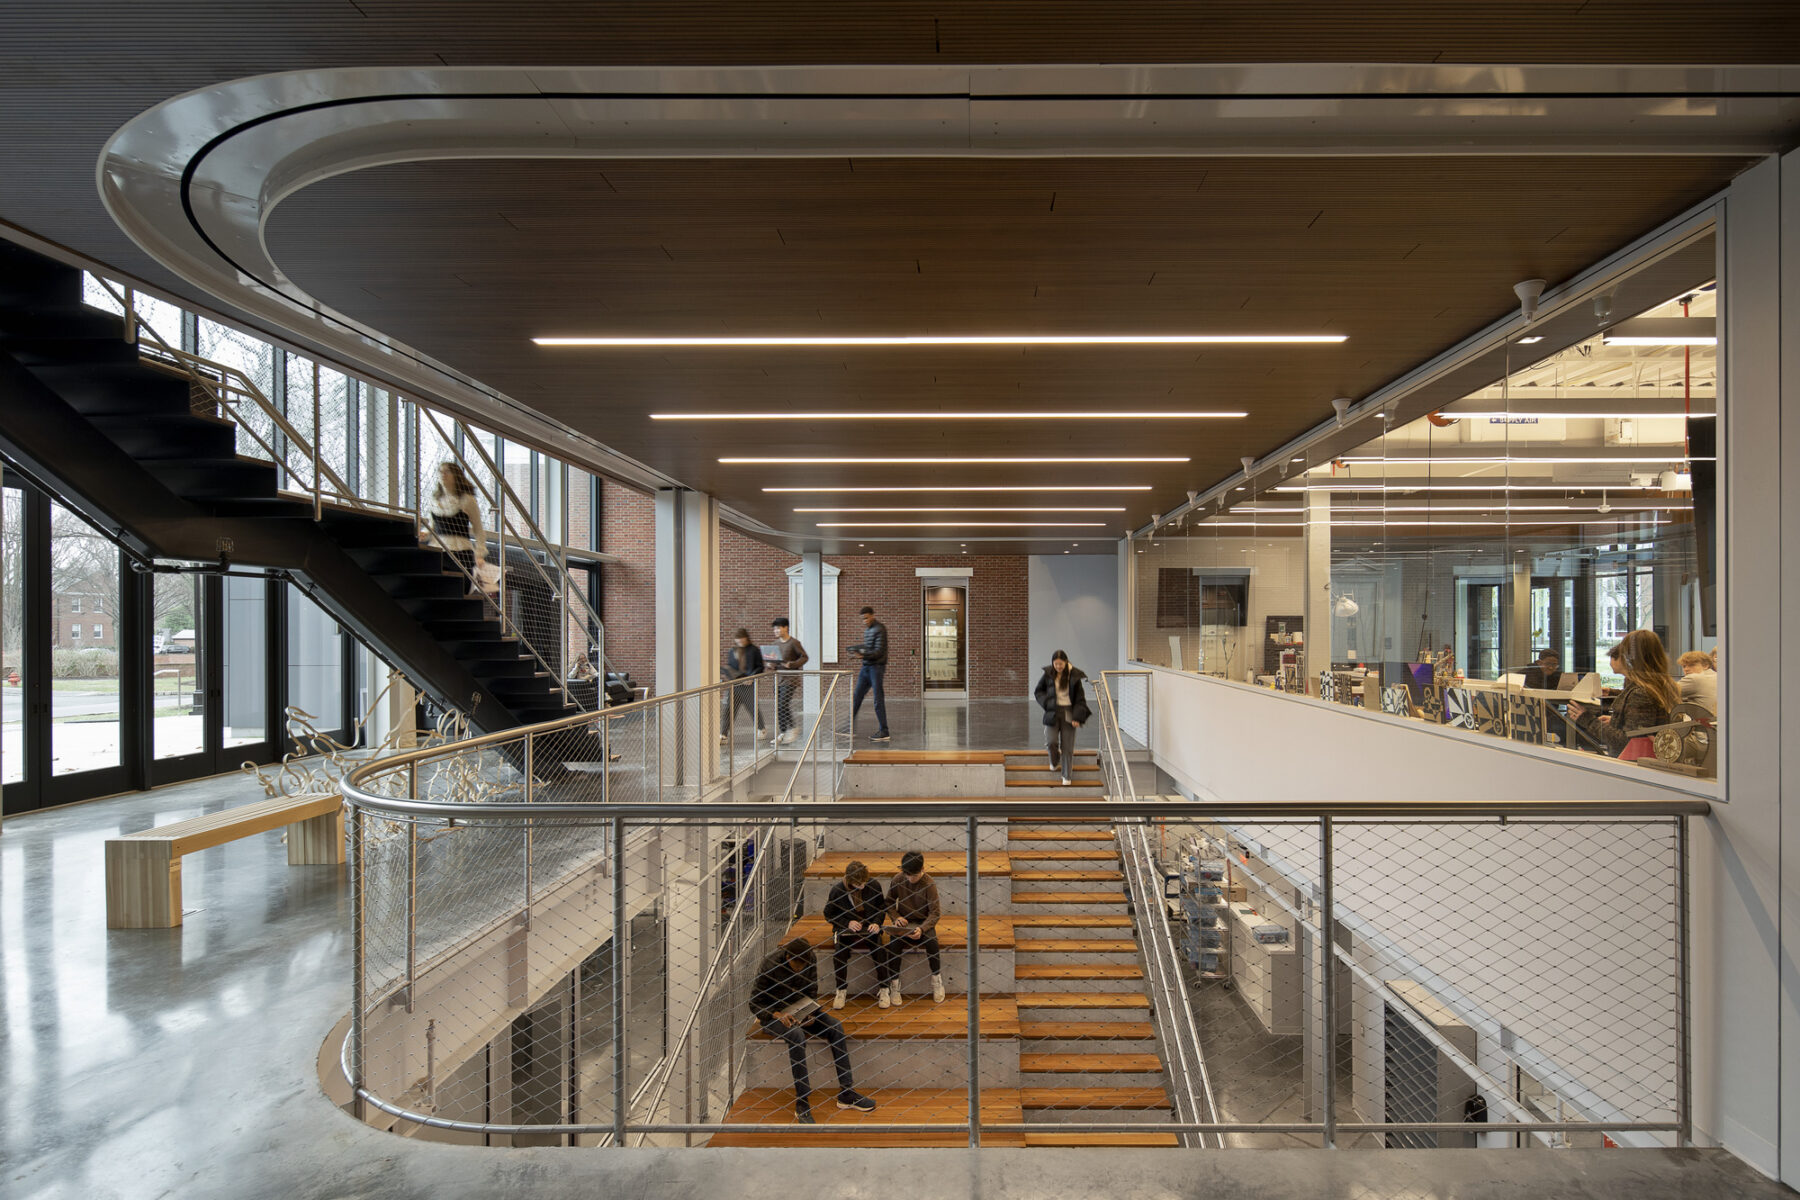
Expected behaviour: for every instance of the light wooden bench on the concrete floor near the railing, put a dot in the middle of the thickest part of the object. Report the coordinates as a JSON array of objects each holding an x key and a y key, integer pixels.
[{"x": 145, "y": 870}]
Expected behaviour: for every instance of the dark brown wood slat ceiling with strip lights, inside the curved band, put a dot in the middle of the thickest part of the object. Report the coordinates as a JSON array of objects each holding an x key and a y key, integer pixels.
[{"x": 1407, "y": 256}]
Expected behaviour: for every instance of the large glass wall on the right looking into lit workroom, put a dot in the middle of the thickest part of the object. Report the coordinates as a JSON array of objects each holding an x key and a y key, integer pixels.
[{"x": 1477, "y": 566}]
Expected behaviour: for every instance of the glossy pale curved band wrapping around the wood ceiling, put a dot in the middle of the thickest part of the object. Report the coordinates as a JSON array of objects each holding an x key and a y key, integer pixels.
[{"x": 195, "y": 181}]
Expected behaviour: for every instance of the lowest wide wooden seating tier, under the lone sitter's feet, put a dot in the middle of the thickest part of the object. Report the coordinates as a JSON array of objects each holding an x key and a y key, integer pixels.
[{"x": 840, "y": 1127}]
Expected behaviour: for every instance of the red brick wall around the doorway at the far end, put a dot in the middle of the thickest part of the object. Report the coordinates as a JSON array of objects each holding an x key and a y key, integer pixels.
[{"x": 753, "y": 591}]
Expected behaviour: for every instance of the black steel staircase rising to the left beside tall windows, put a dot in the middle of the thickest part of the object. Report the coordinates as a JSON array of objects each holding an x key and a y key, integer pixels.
[{"x": 116, "y": 436}]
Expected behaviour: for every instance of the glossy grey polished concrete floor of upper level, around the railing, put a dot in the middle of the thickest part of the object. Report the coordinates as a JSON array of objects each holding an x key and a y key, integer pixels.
[{"x": 184, "y": 1064}]
